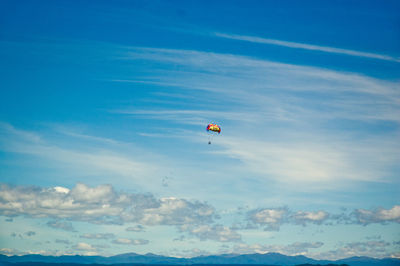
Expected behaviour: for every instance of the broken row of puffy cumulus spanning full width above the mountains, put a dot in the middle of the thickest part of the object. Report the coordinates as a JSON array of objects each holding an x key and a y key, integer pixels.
[{"x": 104, "y": 205}]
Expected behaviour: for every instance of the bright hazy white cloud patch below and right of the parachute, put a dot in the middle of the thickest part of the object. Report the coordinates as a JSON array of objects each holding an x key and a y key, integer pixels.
[{"x": 299, "y": 161}]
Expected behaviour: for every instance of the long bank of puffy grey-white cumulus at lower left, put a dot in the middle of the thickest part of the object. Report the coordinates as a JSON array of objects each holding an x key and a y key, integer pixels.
[{"x": 104, "y": 205}]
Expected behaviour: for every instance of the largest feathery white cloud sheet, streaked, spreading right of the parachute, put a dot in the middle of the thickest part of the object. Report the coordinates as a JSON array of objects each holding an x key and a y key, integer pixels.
[{"x": 293, "y": 115}]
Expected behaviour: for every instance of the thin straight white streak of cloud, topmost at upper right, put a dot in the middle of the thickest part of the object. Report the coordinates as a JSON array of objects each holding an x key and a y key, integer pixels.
[{"x": 305, "y": 46}]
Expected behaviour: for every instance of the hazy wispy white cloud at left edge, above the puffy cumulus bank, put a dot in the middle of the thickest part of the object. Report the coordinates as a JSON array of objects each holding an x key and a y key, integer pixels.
[{"x": 89, "y": 155}]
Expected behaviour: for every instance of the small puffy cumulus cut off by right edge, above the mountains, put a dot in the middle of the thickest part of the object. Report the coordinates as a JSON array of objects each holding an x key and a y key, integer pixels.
[{"x": 379, "y": 215}]
